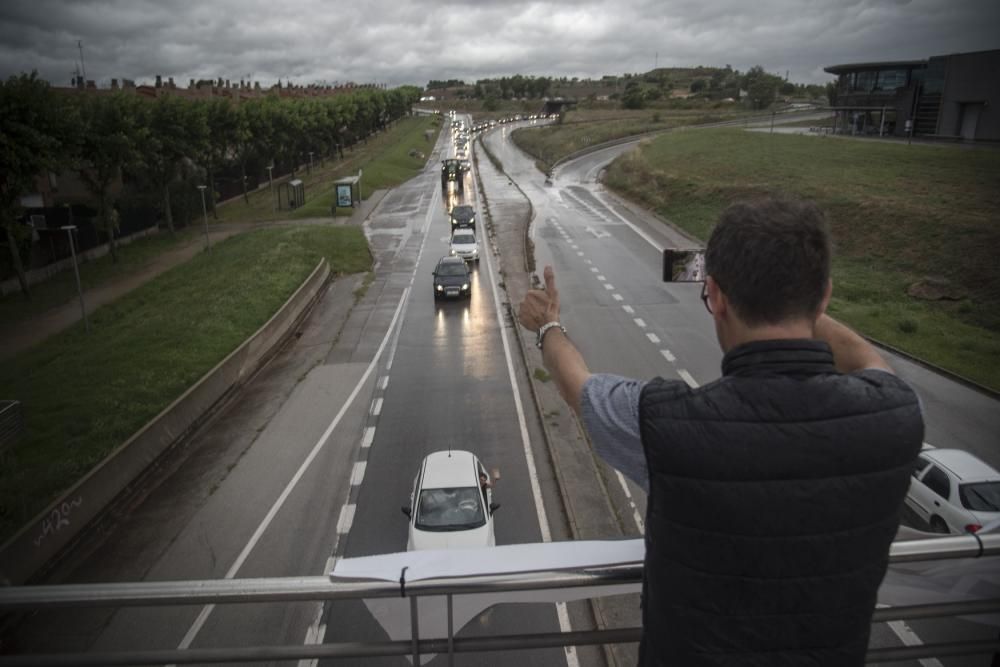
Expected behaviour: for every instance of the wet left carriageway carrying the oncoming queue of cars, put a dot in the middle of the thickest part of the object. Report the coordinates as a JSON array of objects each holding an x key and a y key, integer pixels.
[{"x": 313, "y": 459}]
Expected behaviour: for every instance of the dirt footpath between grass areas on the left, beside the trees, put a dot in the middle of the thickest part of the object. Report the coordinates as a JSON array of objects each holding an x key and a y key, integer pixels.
[{"x": 36, "y": 329}]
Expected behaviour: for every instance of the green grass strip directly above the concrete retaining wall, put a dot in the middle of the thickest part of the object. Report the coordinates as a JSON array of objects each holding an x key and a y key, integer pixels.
[{"x": 85, "y": 394}]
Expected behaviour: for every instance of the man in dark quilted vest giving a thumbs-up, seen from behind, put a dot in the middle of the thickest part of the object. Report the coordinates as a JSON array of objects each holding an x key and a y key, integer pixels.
[{"x": 774, "y": 492}]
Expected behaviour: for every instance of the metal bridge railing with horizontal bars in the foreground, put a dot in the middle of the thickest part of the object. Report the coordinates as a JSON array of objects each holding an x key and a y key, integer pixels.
[{"x": 294, "y": 589}]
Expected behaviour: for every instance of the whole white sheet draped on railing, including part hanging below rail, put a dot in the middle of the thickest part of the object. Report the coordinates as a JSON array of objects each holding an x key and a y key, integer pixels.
[{"x": 393, "y": 614}]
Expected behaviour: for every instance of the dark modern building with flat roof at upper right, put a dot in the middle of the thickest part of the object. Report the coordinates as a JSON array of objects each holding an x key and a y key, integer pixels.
[{"x": 947, "y": 97}]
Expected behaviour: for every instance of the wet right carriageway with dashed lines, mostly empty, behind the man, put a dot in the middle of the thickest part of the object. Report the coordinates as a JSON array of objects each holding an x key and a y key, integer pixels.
[{"x": 607, "y": 262}]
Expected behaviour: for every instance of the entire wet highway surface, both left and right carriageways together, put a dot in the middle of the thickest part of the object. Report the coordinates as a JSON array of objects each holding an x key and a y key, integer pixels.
[{"x": 313, "y": 459}]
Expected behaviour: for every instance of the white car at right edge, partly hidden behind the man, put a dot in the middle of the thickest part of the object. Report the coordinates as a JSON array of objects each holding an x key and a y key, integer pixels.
[{"x": 953, "y": 491}]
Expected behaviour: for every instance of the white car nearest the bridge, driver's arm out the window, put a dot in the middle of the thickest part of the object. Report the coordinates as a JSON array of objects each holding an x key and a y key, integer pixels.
[{"x": 450, "y": 507}]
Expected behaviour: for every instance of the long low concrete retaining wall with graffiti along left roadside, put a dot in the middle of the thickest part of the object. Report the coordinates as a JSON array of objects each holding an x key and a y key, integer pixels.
[{"x": 42, "y": 538}]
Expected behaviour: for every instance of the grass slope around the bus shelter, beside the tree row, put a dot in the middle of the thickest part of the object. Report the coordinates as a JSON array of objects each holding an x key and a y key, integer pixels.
[{"x": 385, "y": 162}]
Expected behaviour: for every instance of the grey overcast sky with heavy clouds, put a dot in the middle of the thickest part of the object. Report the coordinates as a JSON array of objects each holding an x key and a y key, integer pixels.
[{"x": 412, "y": 41}]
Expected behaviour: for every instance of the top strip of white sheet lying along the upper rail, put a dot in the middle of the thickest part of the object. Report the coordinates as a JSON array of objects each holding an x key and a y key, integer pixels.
[{"x": 507, "y": 559}]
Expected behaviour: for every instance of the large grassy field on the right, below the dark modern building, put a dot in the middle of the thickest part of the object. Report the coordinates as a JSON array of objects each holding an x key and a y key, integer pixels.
[{"x": 897, "y": 213}]
